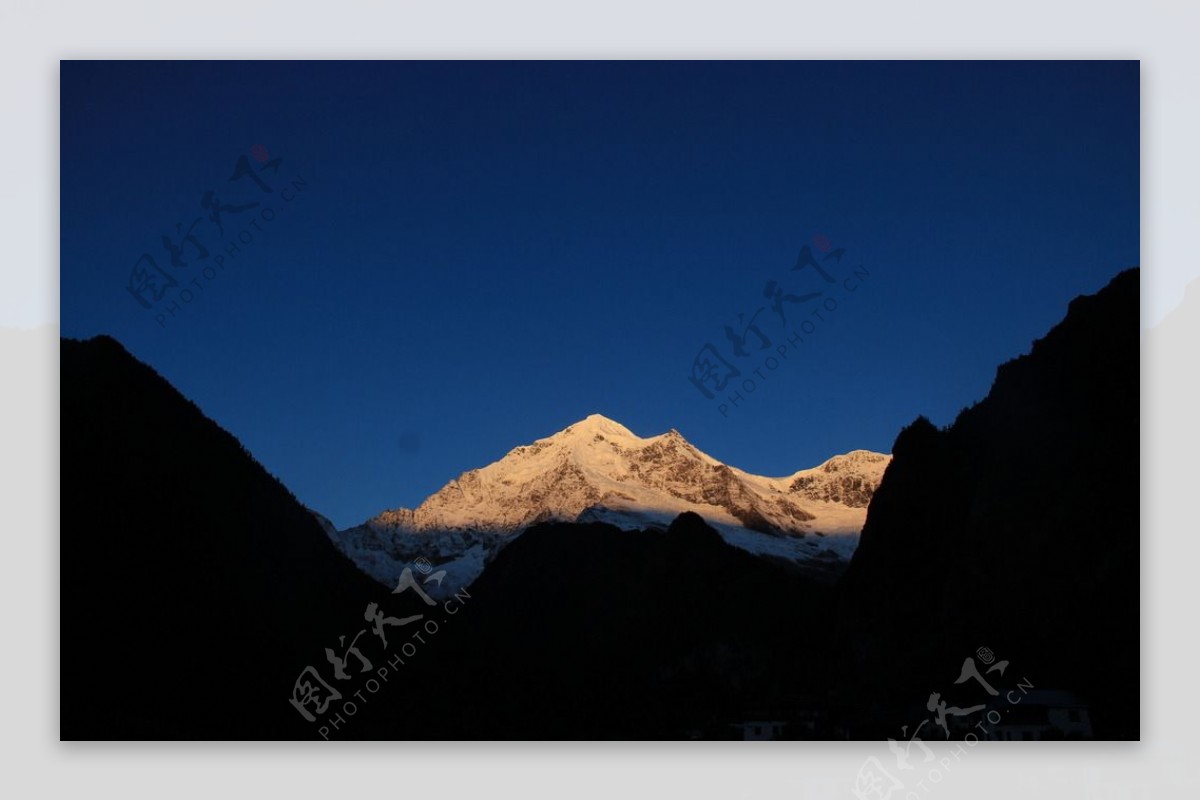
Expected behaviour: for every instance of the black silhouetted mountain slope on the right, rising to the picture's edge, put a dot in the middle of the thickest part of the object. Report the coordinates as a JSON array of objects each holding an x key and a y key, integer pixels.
[{"x": 1017, "y": 528}]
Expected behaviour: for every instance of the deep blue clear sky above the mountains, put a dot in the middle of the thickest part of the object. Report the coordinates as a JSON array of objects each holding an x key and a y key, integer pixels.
[{"x": 485, "y": 254}]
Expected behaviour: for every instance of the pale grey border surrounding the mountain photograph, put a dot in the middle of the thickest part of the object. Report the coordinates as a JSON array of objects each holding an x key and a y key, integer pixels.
[{"x": 34, "y": 38}]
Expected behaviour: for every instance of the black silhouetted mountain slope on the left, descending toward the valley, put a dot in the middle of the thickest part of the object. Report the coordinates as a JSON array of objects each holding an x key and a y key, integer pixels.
[{"x": 194, "y": 587}]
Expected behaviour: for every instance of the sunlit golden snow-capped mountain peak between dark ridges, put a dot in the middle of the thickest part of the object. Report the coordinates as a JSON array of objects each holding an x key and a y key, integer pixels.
[{"x": 598, "y": 471}]
